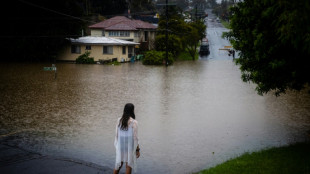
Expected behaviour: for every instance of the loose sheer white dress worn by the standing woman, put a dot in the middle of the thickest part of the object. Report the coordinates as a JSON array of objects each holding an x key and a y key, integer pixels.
[{"x": 126, "y": 143}]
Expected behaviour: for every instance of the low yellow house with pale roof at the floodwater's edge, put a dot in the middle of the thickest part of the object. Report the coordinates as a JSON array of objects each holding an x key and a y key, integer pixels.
[{"x": 101, "y": 48}]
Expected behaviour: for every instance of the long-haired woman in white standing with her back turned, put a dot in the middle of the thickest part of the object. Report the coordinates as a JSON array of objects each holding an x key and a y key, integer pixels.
[{"x": 126, "y": 141}]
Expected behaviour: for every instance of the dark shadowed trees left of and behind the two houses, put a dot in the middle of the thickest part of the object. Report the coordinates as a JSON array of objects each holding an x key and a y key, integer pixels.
[{"x": 36, "y": 30}]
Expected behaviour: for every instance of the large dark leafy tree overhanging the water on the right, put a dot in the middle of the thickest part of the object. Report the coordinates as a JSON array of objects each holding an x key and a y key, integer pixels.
[{"x": 273, "y": 38}]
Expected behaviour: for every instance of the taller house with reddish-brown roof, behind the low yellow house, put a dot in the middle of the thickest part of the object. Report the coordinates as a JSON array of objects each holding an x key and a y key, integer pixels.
[{"x": 121, "y": 27}]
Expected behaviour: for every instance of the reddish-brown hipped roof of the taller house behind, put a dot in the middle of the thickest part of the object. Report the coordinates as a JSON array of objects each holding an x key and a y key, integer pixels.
[{"x": 122, "y": 23}]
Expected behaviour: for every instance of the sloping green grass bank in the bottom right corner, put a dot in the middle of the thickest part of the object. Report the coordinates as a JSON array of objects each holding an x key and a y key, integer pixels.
[{"x": 293, "y": 159}]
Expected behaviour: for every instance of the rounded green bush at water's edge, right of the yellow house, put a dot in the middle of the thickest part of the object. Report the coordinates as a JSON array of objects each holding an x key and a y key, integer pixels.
[{"x": 157, "y": 58}]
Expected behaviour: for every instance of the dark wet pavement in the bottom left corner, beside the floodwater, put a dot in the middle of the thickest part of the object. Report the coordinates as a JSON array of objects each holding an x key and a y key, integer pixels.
[{"x": 14, "y": 160}]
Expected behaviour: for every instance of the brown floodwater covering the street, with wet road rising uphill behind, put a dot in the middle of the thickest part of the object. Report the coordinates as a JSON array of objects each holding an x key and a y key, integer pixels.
[{"x": 192, "y": 115}]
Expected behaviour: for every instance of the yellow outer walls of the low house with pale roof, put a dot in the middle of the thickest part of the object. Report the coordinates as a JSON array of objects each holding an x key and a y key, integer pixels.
[{"x": 96, "y": 52}]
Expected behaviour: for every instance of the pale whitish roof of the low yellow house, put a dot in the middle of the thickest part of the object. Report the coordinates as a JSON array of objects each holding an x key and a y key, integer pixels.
[{"x": 101, "y": 41}]
